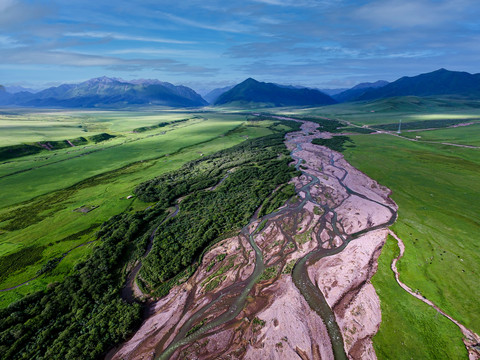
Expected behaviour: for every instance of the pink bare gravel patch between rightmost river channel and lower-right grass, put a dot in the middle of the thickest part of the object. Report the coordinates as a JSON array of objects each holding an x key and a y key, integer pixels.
[{"x": 344, "y": 279}]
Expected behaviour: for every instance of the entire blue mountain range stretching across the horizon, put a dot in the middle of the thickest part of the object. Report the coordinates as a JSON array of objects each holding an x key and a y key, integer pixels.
[{"x": 113, "y": 92}]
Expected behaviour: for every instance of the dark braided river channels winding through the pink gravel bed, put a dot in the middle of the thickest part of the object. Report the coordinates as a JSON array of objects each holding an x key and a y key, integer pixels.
[{"x": 238, "y": 292}]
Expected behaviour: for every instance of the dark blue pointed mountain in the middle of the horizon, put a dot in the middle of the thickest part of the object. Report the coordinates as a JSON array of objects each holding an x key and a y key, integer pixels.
[{"x": 268, "y": 94}]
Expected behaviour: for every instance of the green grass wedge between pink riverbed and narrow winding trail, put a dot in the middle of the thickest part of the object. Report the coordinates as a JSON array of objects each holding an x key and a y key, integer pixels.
[{"x": 410, "y": 329}]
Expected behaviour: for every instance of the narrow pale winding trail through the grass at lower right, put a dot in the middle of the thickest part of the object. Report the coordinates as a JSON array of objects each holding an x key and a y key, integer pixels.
[{"x": 471, "y": 340}]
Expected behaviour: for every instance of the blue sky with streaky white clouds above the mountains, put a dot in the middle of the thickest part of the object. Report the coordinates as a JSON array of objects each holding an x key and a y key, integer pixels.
[{"x": 207, "y": 44}]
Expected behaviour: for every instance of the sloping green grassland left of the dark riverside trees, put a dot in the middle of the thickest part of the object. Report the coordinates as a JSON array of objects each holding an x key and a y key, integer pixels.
[{"x": 38, "y": 206}]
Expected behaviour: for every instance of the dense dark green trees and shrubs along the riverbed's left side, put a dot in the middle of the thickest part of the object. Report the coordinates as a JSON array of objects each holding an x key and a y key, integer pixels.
[{"x": 83, "y": 316}]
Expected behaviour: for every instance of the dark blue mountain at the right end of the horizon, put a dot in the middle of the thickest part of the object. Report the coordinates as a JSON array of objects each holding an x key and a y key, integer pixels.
[{"x": 439, "y": 82}]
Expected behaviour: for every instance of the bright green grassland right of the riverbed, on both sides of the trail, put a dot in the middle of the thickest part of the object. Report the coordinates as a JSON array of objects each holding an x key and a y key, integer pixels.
[{"x": 437, "y": 190}]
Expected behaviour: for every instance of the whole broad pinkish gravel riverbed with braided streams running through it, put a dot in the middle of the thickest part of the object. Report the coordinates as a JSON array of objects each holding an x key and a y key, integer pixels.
[{"x": 274, "y": 319}]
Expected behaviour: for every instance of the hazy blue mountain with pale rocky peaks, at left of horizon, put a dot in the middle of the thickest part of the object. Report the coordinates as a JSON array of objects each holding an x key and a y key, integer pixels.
[{"x": 108, "y": 92}]
